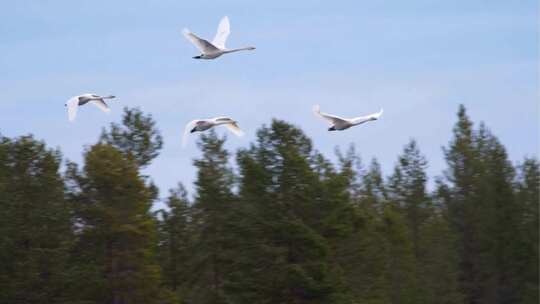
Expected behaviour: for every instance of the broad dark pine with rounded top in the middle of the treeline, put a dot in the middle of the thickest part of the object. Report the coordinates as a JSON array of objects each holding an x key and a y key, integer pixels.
[{"x": 290, "y": 219}]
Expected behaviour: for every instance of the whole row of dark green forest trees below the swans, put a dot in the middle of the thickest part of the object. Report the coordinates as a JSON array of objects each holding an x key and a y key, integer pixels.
[{"x": 285, "y": 225}]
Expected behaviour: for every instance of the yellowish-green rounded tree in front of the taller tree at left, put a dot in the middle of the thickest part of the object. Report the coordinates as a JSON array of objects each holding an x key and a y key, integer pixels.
[{"x": 116, "y": 231}]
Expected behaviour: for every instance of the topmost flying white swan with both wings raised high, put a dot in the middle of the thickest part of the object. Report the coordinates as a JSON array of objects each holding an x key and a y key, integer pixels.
[{"x": 217, "y": 47}]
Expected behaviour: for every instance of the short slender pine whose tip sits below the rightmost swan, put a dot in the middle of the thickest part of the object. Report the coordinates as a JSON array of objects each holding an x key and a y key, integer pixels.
[{"x": 386, "y": 253}]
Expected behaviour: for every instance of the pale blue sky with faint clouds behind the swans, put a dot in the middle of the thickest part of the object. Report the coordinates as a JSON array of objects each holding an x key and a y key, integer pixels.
[{"x": 417, "y": 59}]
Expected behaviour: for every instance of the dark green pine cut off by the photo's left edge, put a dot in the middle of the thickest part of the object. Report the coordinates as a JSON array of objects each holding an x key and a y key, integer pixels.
[{"x": 35, "y": 223}]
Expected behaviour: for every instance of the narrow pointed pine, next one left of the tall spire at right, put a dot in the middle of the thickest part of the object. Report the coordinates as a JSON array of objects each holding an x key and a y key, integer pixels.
[{"x": 429, "y": 231}]
